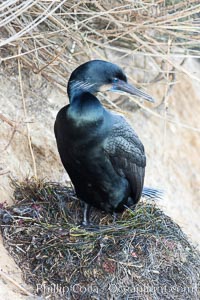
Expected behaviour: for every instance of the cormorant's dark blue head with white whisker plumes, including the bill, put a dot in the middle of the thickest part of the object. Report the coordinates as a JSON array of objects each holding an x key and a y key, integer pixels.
[{"x": 98, "y": 75}]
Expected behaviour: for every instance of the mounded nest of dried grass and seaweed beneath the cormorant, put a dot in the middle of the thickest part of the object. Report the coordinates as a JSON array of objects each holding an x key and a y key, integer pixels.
[{"x": 143, "y": 254}]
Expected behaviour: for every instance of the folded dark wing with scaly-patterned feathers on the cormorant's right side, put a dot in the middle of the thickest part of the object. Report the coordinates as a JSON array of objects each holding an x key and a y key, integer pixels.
[{"x": 126, "y": 153}]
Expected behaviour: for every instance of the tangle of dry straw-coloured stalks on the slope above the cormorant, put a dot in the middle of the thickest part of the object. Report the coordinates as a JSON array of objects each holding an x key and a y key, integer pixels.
[{"x": 53, "y": 37}]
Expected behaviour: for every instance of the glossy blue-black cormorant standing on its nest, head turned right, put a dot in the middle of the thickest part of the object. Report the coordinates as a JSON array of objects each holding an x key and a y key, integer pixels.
[{"x": 100, "y": 151}]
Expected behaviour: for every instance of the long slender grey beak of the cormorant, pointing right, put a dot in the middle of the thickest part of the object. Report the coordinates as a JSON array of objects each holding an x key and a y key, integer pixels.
[{"x": 124, "y": 87}]
